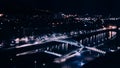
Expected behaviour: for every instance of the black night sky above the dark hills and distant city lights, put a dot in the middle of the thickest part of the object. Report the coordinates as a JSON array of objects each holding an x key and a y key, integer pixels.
[{"x": 86, "y": 6}]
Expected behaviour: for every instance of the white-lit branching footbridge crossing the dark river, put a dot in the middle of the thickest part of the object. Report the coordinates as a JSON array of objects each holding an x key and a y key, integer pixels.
[{"x": 61, "y": 58}]
